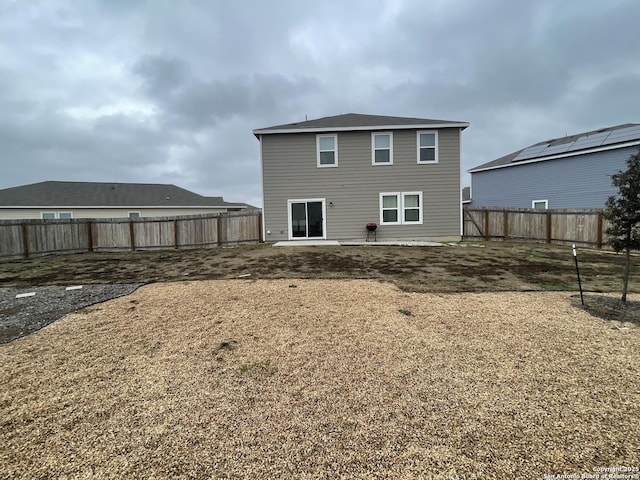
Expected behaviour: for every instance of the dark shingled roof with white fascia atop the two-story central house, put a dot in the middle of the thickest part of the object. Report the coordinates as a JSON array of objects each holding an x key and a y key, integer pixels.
[{"x": 357, "y": 121}]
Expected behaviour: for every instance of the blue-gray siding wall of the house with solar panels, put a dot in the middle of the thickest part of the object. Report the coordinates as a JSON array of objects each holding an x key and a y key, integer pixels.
[{"x": 582, "y": 181}]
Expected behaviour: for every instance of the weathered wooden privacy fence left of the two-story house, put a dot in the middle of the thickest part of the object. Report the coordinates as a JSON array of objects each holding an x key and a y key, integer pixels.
[{"x": 23, "y": 238}]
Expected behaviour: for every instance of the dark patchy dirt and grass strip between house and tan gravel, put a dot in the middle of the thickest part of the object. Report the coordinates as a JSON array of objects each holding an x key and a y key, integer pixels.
[{"x": 463, "y": 267}]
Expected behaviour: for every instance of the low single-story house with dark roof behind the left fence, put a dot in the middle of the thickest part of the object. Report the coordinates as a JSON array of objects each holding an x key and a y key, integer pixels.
[{"x": 64, "y": 200}]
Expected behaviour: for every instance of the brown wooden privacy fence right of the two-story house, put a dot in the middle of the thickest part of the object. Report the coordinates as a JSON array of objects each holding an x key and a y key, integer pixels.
[{"x": 583, "y": 226}]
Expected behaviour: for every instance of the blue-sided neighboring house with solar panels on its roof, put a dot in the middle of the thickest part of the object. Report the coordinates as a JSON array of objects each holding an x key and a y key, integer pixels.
[{"x": 567, "y": 172}]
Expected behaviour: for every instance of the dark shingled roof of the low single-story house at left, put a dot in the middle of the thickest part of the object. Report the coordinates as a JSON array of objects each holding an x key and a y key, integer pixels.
[{"x": 93, "y": 194}]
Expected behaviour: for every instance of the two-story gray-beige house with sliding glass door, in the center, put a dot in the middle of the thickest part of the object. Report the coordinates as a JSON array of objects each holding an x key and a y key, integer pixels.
[{"x": 327, "y": 178}]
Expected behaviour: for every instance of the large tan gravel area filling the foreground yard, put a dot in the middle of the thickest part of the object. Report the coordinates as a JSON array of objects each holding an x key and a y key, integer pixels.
[{"x": 320, "y": 379}]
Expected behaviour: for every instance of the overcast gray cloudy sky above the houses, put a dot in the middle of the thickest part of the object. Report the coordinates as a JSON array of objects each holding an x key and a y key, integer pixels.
[{"x": 168, "y": 91}]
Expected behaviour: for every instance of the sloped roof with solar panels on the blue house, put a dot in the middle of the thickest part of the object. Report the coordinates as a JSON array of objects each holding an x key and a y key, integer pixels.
[{"x": 567, "y": 146}]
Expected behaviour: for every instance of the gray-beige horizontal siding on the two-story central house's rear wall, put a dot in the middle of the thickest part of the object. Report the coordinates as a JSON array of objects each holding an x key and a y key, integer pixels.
[{"x": 290, "y": 172}]
